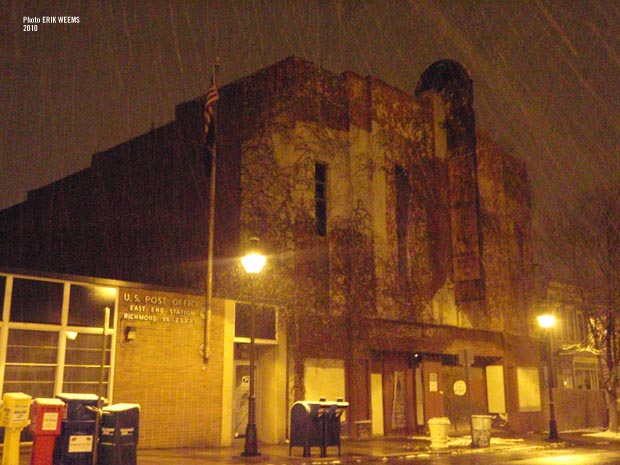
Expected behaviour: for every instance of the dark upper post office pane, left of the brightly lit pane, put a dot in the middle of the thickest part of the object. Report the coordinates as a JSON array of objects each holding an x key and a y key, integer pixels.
[{"x": 36, "y": 301}]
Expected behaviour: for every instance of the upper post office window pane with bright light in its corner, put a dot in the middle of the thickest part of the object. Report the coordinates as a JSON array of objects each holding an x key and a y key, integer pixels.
[{"x": 87, "y": 304}]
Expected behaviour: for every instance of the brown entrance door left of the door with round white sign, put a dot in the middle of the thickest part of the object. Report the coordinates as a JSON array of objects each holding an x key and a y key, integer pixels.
[{"x": 398, "y": 395}]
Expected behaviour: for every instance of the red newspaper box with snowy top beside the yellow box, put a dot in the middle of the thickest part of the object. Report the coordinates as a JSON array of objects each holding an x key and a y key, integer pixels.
[{"x": 45, "y": 421}]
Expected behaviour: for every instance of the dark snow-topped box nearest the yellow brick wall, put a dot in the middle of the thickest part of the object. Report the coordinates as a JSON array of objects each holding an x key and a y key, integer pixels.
[{"x": 118, "y": 435}]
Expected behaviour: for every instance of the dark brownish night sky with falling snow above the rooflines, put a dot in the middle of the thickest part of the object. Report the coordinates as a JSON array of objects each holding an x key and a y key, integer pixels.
[{"x": 546, "y": 74}]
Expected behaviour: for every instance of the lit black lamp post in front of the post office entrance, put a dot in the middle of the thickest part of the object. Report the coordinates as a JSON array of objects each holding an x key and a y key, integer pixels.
[{"x": 253, "y": 263}]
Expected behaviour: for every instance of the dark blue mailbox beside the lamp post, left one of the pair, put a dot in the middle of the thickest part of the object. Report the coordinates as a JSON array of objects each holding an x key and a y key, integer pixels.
[{"x": 306, "y": 426}]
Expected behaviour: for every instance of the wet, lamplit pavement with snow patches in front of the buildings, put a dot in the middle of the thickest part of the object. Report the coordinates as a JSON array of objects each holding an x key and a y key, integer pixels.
[{"x": 352, "y": 451}]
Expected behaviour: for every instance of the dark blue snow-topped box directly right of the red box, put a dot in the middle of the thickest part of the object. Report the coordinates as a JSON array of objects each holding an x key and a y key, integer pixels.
[{"x": 74, "y": 445}]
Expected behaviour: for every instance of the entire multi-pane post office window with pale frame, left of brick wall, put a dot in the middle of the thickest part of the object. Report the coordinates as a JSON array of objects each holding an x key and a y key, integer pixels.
[{"x": 52, "y": 340}]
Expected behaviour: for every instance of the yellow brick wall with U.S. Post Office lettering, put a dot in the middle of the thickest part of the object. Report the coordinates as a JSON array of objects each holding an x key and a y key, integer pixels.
[{"x": 163, "y": 370}]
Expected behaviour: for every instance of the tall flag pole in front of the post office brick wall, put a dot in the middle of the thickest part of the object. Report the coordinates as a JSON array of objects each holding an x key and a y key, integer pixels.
[{"x": 209, "y": 283}]
